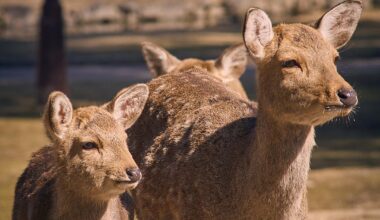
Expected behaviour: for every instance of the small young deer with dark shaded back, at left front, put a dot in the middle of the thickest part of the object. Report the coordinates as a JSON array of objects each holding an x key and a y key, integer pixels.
[{"x": 86, "y": 170}]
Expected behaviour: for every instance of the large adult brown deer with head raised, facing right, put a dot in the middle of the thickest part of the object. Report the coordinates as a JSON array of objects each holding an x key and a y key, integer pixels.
[{"x": 210, "y": 155}]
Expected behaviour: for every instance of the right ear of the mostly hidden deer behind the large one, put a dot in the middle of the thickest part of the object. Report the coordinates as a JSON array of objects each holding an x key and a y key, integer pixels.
[{"x": 233, "y": 61}]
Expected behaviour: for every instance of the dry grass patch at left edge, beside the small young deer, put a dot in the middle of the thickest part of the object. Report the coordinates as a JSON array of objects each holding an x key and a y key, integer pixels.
[{"x": 19, "y": 138}]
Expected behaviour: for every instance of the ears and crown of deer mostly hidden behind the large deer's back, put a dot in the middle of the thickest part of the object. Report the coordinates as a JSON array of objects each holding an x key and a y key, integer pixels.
[{"x": 228, "y": 67}]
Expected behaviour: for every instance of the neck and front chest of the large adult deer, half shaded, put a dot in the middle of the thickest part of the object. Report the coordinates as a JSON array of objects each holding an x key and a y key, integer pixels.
[{"x": 278, "y": 167}]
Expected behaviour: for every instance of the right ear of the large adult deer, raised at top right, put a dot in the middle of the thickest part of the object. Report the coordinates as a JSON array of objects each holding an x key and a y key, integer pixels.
[{"x": 338, "y": 25}]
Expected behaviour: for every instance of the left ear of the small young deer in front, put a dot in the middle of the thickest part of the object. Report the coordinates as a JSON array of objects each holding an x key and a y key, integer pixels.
[{"x": 58, "y": 115}]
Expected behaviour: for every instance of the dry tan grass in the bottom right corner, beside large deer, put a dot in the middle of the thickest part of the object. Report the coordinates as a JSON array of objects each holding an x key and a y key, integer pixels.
[{"x": 345, "y": 193}]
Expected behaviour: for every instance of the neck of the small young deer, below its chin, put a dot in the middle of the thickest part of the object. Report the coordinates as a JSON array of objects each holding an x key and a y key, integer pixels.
[{"x": 70, "y": 204}]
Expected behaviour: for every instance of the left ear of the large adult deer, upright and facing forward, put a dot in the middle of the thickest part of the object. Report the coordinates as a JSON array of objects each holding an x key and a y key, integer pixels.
[{"x": 257, "y": 32}]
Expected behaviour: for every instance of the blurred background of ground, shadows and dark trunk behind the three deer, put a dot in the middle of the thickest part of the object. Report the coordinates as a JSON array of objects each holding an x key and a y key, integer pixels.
[{"x": 90, "y": 49}]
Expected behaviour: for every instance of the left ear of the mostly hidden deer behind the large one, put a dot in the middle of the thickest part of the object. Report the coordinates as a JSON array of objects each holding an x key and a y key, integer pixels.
[{"x": 159, "y": 60}]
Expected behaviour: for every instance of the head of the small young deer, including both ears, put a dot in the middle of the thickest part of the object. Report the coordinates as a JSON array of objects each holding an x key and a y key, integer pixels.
[{"x": 91, "y": 141}]
